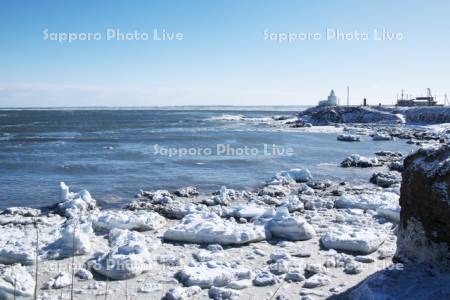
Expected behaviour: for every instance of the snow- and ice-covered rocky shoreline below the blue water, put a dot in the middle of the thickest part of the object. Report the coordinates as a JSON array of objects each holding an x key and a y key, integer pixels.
[{"x": 293, "y": 238}]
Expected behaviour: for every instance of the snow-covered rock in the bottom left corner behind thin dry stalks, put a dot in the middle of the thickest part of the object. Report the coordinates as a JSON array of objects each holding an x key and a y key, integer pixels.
[{"x": 16, "y": 283}]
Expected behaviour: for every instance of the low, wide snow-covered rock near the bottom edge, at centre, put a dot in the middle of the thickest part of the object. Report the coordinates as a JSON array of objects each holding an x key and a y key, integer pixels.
[{"x": 206, "y": 277}]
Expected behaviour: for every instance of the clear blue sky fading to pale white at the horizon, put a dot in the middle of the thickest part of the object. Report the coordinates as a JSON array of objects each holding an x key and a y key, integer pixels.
[{"x": 230, "y": 52}]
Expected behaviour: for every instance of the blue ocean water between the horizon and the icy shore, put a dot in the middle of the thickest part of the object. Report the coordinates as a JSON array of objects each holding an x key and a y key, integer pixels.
[{"x": 112, "y": 152}]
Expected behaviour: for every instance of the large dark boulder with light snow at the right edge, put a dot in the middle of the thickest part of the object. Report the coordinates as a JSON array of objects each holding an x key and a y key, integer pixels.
[{"x": 424, "y": 233}]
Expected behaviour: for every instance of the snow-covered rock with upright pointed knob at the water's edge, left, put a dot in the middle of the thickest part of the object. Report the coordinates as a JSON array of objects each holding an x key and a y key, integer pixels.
[{"x": 75, "y": 204}]
